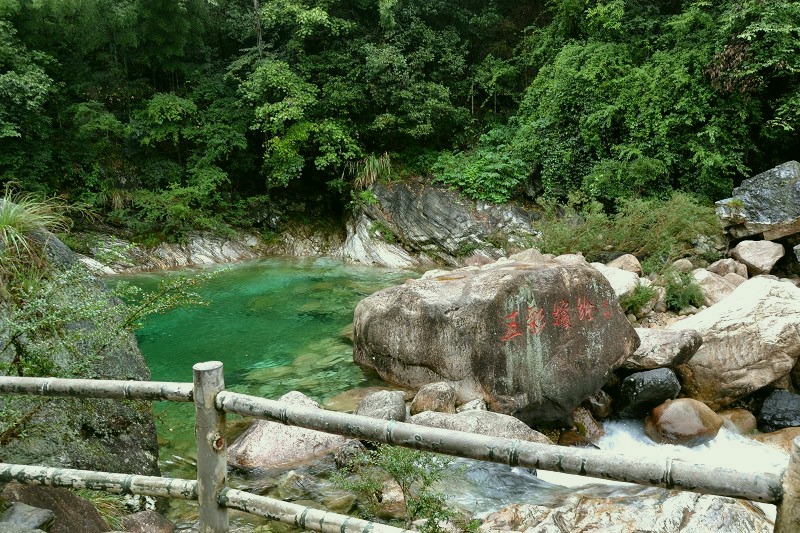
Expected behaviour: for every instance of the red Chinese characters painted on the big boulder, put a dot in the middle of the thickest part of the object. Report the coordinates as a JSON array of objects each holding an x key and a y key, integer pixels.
[{"x": 561, "y": 316}]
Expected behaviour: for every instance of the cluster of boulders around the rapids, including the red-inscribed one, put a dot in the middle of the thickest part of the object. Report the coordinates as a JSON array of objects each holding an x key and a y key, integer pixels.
[{"x": 532, "y": 339}]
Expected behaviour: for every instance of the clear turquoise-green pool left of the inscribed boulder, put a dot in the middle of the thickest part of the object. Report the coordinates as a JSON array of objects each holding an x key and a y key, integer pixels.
[{"x": 277, "y": 324}]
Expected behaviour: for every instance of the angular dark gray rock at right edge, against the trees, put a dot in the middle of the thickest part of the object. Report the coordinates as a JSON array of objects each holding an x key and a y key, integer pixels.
[{"x": 766, "y": 204}]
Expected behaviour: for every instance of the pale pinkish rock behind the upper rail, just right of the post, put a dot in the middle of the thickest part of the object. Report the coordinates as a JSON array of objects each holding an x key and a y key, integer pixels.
[{"x": 268, "y": 444}]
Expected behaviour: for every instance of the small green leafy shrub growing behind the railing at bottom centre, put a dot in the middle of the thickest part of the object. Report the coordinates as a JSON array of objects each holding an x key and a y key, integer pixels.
[{"x": 415, "y": 472}]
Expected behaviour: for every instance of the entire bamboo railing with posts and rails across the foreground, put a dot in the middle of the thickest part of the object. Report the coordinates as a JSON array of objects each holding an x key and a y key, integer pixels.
[{"x": 210, "y": 489}]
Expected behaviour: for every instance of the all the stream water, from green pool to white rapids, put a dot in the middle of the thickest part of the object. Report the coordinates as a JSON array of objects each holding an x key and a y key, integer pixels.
[{"x": 281, "y": 324}]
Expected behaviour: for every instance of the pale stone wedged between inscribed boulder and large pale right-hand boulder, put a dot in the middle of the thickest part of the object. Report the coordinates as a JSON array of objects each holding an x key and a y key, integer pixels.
[{"x": 661, "y": 348}]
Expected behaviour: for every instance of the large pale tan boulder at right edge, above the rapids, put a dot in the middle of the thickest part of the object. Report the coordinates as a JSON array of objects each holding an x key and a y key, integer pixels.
[{"x": 750, "y": 339}]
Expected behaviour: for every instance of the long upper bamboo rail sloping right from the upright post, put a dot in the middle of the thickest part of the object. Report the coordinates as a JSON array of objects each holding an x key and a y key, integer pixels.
[{"x": 663, "y": 472}]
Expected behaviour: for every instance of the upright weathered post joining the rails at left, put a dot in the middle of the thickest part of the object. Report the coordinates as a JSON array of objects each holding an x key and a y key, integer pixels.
[{"x": 212, "y": 467}]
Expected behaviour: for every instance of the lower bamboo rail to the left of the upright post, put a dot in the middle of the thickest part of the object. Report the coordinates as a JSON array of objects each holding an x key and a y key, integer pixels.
[{"x": 86, "y": 479}]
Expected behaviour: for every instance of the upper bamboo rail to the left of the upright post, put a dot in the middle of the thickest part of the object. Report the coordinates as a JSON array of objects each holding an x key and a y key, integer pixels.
[{"x": 98, "y": 388}]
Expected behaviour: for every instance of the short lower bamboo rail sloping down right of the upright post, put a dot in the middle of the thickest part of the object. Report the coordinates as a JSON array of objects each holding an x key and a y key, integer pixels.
[{"x": 303, "y": 517}]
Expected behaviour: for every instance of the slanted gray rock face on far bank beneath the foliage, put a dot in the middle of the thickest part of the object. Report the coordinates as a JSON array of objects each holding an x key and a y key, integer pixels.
[{"x": 441, "y": 225}]
